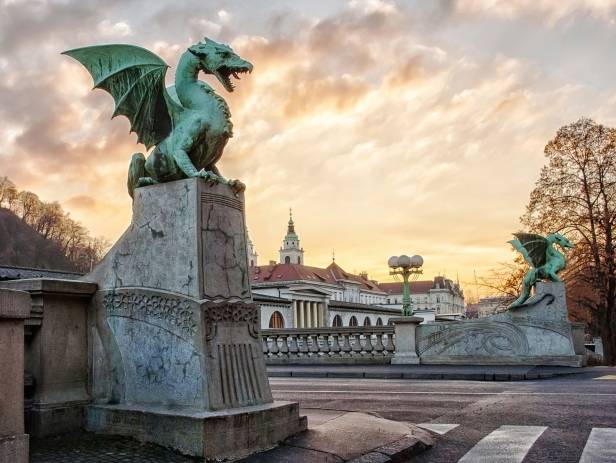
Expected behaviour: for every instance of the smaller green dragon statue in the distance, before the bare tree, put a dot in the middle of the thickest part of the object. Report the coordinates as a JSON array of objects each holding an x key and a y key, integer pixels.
[{"x": 544, "y": 259}]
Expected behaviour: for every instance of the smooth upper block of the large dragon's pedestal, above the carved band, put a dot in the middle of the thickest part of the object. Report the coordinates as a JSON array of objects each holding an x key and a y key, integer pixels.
[{"x": 185, "y": 237}]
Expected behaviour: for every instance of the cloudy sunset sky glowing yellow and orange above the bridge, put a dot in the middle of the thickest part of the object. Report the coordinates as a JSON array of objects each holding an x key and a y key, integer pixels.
[{"x": 412, "y": 127}]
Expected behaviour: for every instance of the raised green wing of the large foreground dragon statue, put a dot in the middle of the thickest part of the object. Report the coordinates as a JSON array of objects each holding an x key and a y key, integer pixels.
[{"x": 135, "y": 78}]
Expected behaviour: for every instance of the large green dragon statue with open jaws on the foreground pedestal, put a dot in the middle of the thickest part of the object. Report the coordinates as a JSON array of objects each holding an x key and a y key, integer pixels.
[{"x": 189, "y": 124}]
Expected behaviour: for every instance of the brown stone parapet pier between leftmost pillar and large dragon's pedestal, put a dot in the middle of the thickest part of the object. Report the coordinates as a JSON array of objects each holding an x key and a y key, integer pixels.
[{"x": 56, "y": 353}]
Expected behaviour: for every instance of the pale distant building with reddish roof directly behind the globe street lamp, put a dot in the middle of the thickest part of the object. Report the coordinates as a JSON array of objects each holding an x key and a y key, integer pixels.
[{"x": 441, "y": 296}]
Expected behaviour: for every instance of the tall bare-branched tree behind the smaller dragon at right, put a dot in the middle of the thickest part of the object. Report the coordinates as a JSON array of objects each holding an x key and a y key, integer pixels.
[{"x": 576, "y": 195}]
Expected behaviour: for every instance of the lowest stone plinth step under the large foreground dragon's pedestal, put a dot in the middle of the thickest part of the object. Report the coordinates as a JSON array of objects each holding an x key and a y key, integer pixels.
[{"x": 228, "y": 434}]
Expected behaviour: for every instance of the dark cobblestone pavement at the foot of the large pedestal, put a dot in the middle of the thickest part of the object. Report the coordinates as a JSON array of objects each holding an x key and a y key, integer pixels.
[{"x": 91, "y": 448}]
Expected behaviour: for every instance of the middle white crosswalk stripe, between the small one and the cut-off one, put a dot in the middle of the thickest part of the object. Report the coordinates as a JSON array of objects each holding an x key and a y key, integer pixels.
[{"x": 507, "y": 444}]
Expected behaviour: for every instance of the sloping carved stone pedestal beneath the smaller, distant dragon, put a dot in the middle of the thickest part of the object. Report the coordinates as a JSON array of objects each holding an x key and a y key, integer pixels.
[{"x": 536, "y": 333}]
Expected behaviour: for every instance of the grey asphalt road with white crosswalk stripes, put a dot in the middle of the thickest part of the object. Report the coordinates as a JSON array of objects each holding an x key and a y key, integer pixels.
[{"x": 564, "y": 419}]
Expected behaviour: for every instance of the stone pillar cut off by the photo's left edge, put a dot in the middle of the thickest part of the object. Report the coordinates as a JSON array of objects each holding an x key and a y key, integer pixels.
[{"x": 14, "y": 308}]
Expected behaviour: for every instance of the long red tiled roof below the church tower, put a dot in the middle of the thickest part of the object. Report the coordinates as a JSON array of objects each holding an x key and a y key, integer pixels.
[{"x": 298, "y": 272}]
